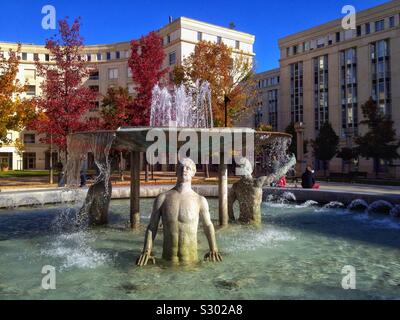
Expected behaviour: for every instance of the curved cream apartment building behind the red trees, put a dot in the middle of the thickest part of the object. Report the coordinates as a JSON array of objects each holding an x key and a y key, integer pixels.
[{"x": 110, "y": 61}]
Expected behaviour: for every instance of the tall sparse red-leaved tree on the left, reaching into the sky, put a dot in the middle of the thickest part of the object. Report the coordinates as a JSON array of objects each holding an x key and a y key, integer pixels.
[{"x": 64, "y": 100}]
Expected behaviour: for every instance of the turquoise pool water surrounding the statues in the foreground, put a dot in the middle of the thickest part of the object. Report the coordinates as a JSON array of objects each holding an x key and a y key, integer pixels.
[{"x": 298, "y": 253}]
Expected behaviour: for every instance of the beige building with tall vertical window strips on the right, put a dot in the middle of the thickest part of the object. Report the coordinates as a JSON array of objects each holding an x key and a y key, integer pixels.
[{"x": 326, "y": 74}]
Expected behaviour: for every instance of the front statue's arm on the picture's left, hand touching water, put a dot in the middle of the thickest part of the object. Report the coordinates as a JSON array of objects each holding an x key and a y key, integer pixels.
[{"x": 151, "y": 233}]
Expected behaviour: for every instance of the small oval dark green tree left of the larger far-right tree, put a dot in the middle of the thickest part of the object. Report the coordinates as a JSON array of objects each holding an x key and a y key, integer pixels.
[{"x": 326, "y": 144}]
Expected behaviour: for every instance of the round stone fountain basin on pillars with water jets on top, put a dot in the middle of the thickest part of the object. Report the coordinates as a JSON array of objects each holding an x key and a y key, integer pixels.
[{"x": 181, "y": 126}]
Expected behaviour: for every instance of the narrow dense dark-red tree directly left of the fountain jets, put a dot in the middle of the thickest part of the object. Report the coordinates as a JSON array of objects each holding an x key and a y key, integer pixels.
[{"x": 145, "y": 62}]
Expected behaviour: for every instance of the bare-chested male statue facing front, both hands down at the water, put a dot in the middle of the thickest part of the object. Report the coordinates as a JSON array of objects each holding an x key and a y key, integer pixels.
[{"x": 180, "y": 210}]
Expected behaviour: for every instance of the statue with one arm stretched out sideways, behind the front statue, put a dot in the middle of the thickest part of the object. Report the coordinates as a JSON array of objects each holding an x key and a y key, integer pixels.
[{"x": 248, "y": 191}]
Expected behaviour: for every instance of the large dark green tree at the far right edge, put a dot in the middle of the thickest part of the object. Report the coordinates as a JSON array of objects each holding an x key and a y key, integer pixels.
[{"x": 380, "y": 142}]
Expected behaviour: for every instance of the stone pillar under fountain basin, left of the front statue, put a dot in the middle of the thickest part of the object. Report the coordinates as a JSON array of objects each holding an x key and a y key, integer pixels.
[{"x": 135, "y": 189}]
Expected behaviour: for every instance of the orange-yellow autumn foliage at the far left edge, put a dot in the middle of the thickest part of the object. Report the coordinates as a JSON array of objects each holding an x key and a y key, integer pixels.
[{"x": 15, "y": 111}]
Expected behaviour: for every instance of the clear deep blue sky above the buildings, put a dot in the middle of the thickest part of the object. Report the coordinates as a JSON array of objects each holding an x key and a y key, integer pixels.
[{"x": 106, "y": 21}]
